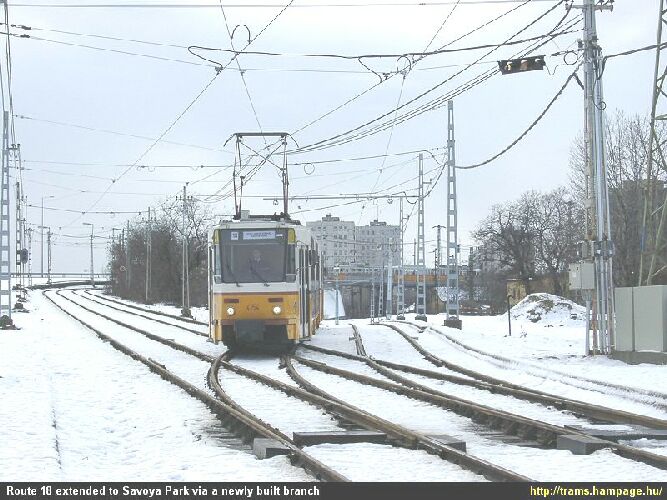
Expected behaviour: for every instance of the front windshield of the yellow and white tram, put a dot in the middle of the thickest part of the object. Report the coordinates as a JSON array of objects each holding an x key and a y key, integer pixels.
[{"x": 253, "y": 255}]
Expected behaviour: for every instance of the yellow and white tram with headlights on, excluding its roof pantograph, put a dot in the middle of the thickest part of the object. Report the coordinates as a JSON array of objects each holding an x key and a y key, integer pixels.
[{"x": 265, "y": 282}]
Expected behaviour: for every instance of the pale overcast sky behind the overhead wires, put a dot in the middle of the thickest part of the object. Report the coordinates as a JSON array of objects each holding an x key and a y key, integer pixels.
[{"x": 67, "y": 93}]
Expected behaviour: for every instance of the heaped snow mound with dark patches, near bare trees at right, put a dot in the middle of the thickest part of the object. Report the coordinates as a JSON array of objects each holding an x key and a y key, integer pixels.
[{"x": 547, "y": 309}]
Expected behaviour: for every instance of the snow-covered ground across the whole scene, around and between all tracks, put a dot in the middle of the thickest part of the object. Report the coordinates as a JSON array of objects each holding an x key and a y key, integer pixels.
[{"x": 76, "y": 409}]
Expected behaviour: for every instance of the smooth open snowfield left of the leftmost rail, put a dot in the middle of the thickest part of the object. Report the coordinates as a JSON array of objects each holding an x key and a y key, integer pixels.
[{"x": 75, "y": 409}]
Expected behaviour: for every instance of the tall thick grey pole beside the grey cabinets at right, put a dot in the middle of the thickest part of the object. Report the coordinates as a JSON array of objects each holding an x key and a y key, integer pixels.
[{"x": 598, "y": 247}]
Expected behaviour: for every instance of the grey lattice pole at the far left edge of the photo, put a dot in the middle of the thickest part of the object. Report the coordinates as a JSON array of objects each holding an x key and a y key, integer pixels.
[{"x": 5, "y": 261}]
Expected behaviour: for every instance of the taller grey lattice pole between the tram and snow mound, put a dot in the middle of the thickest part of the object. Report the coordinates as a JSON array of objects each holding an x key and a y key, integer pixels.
[{"x": 452, "y": 308}]
